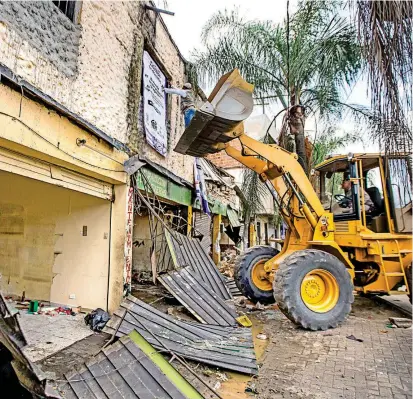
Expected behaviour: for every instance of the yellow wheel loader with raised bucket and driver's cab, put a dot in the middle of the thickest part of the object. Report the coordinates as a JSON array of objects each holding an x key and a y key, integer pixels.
[{"x": 338, "y": 241}]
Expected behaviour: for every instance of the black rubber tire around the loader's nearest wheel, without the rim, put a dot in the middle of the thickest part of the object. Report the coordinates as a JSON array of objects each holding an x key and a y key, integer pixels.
[{"x": 287, "y": 289}]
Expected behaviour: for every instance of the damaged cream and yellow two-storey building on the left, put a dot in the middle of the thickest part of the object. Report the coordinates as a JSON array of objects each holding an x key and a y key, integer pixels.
[{"x": 72, "y": 111}]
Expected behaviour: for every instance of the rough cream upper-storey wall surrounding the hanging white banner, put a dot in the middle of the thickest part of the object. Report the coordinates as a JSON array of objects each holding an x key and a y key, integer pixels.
[{"x": 94, "y": 67}]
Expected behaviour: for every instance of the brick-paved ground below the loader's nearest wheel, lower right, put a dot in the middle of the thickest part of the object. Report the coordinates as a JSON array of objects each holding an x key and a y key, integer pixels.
[{"x": 326, "y": 364}]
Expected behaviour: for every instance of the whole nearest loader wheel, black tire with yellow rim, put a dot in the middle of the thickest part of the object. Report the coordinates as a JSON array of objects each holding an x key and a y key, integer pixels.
[{"x": 313, "y": 289}]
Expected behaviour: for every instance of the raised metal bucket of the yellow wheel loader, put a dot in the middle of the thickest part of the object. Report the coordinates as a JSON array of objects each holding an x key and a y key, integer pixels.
[{"x": 219, "y": 120}]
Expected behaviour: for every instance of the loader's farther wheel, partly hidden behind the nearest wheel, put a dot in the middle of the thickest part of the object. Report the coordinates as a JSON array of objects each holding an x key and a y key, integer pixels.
[{"x": 249, "y": 274}]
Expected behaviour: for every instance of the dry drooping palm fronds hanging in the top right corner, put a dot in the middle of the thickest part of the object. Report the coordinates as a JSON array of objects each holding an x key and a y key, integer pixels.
[{"x": 385, "y": 32}]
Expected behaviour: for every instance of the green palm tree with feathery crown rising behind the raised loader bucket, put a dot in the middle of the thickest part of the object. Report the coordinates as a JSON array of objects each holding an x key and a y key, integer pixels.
[{"x": 303, "y": 64}]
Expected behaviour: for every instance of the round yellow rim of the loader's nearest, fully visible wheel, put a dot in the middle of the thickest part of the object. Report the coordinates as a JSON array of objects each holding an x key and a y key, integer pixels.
[{"x": 320, "y": 291}]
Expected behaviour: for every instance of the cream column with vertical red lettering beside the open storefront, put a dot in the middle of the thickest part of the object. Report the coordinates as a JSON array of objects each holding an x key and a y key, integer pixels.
[{"x": 118, "y": 241}]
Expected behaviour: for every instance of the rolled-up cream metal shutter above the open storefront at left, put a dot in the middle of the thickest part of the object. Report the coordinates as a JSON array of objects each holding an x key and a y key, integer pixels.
[{"x": 33, "y": 168}]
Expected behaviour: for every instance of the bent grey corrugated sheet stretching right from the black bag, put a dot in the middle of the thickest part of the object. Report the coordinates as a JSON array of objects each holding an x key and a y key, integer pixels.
[{"x": 226, "y": 347}]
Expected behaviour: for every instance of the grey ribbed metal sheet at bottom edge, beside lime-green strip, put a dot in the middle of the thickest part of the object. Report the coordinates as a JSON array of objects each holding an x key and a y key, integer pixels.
[{"x": 120, "y": 371}]
